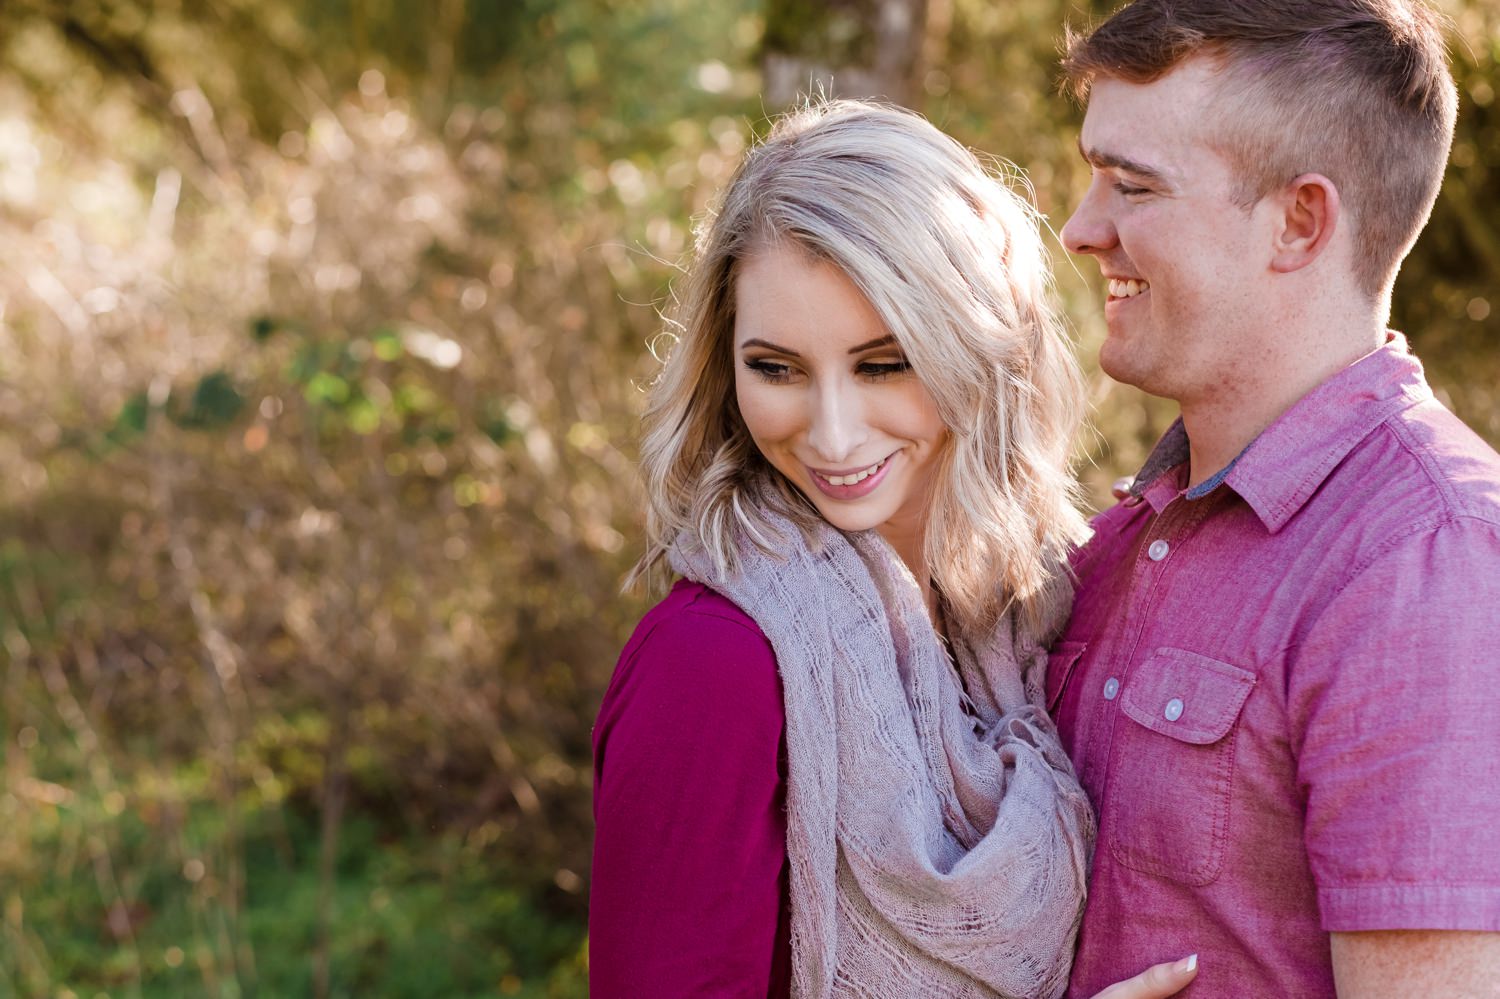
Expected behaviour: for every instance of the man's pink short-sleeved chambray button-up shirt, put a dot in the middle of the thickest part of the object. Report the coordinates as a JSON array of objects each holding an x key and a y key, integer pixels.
[{"x": 1283, "y": 692}]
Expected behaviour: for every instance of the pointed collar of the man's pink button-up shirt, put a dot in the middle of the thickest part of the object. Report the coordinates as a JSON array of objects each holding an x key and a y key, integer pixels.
[{"x": 1283, "y": 467}]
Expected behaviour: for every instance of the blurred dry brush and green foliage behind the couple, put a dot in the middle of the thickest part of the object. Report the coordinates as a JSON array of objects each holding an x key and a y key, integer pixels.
[{"x": 322, "y": 338}]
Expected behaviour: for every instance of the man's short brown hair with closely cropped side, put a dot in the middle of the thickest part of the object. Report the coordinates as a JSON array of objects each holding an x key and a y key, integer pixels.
[{"x": 1357, "y": 91}]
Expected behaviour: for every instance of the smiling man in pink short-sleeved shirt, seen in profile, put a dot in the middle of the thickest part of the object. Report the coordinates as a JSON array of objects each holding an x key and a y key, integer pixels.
[{"x": 1282, "y": 682}]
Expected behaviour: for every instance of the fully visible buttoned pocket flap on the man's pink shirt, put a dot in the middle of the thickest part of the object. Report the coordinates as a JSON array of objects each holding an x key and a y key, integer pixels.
[{"x": 1187, "y": 697}]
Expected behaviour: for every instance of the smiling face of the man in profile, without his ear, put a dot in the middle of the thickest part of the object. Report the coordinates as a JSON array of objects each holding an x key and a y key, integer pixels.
[{"x": 1187, "y": 268}]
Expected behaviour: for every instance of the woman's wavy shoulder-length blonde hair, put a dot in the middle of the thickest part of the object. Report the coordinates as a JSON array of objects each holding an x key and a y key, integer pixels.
[{"x": 953, "y": 263}]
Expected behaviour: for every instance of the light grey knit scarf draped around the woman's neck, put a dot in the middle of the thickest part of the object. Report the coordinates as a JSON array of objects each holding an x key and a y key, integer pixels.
[{"x": 934, "y": 851}]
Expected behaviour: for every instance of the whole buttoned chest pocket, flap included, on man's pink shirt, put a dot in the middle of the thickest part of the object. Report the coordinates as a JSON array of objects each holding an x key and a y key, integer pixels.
[{"x": 1174, "y": 766}]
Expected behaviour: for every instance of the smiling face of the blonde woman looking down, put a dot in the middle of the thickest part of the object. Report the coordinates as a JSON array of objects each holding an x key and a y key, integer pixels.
[{"x": 830, "y": 398}]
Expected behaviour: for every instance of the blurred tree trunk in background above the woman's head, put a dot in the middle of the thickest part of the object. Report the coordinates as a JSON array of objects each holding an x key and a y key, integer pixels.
[{"x": 845, "y": 49}]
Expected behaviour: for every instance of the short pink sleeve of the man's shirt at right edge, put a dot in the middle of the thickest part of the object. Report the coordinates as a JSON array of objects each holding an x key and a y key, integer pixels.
[{"x": 1396, "y": 697}]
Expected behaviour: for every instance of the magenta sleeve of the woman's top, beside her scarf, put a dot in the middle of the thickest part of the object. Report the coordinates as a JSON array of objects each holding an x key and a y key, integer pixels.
[{"x": 689, "y": 893}]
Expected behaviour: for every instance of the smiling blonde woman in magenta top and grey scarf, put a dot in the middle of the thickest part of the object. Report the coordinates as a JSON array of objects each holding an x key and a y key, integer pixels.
[{"x": 823, "y": 766}]
